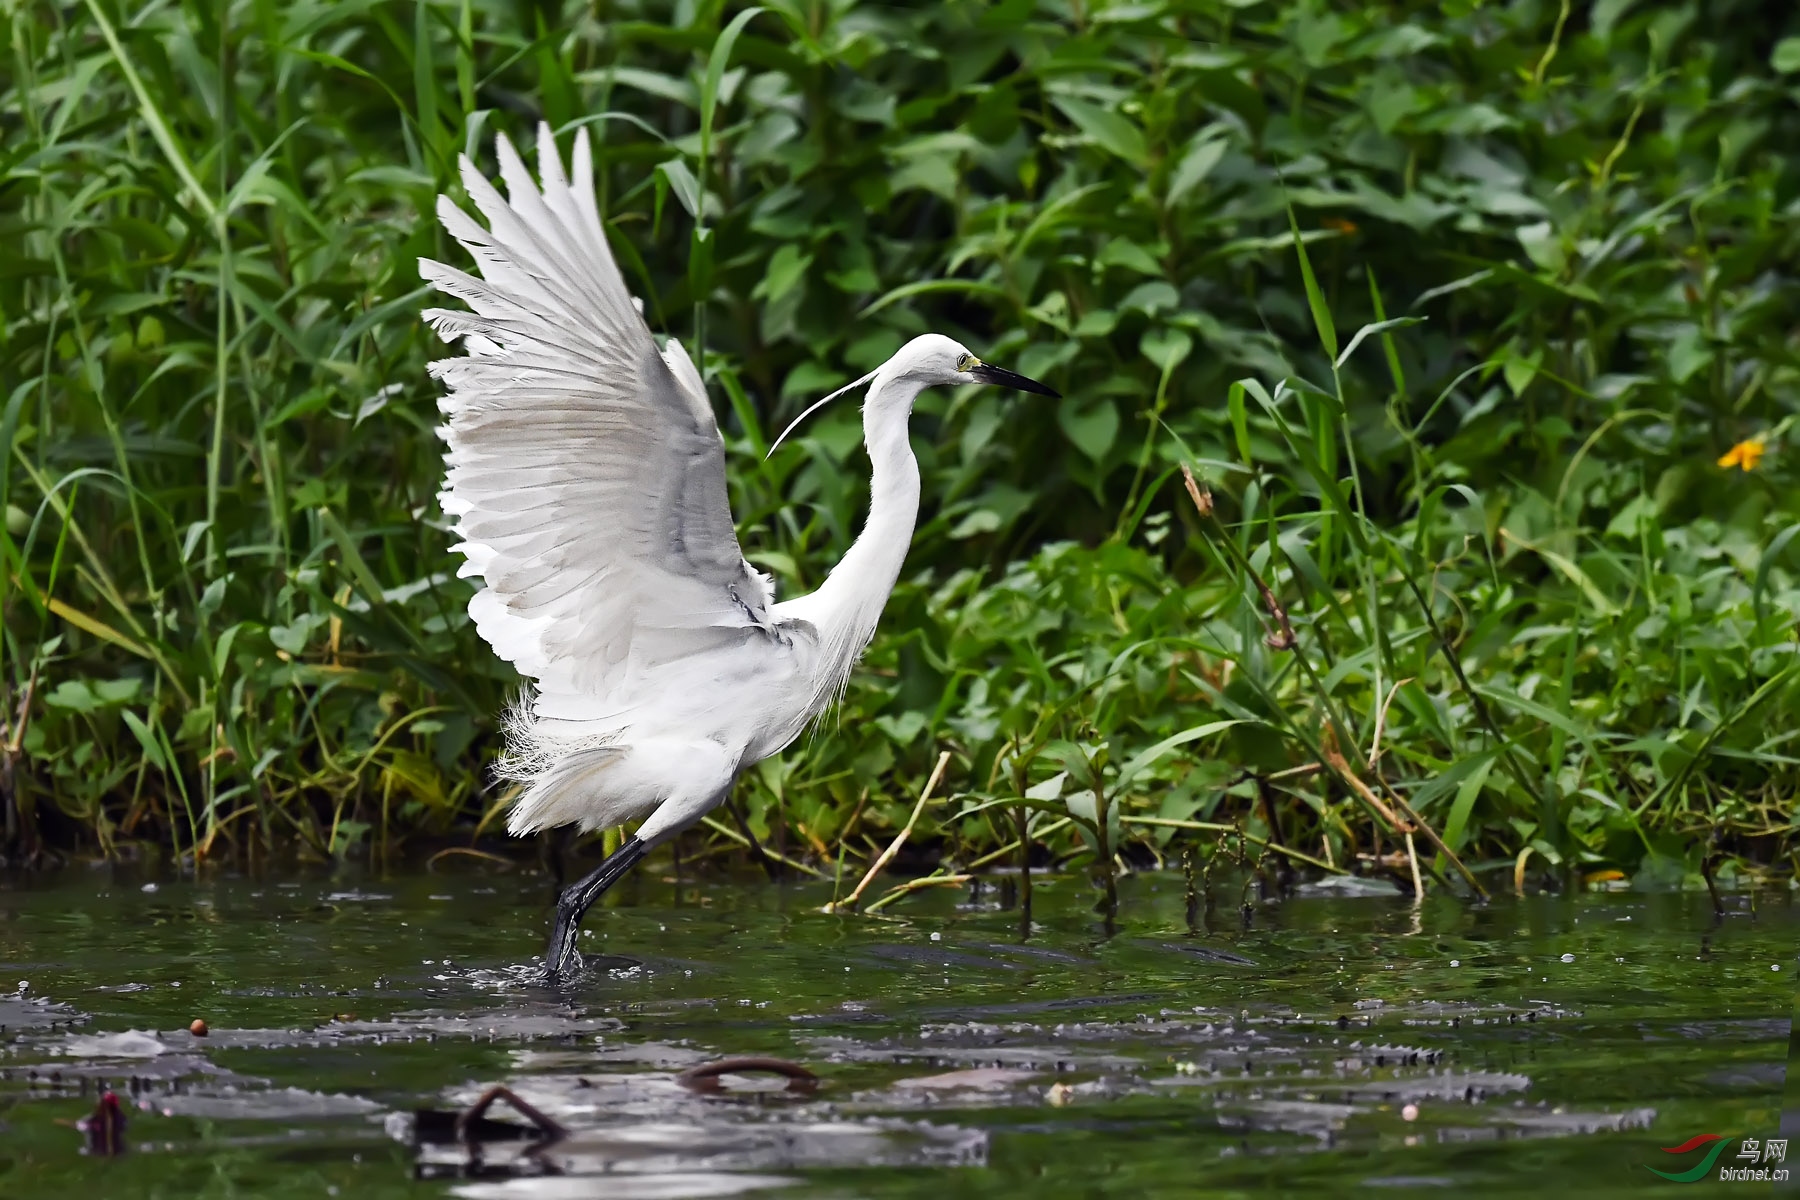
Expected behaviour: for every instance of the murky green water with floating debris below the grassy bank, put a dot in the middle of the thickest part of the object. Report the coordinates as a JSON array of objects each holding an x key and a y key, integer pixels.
[{"x": 1552, "y": 1043}]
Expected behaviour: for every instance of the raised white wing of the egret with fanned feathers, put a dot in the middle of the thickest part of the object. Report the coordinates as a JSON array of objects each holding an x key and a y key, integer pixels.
[{"x": 586, "y": 470}]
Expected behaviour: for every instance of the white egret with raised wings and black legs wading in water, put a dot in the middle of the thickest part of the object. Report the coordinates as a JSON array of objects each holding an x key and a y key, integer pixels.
[{"x": 586, "y": 476}]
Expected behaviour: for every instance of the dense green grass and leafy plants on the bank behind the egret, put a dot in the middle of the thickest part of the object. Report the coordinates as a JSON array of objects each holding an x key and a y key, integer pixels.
[{"x": 1453, "y": 310}]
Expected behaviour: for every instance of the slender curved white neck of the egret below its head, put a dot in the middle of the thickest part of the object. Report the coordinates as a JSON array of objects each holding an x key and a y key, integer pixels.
[{"x": 850, "y": 602}]
